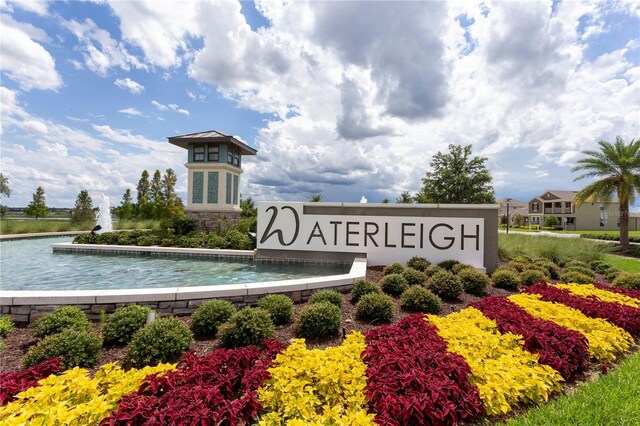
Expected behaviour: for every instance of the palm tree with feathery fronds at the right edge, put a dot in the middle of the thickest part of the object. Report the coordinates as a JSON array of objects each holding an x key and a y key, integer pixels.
[{"x": 618, "y": 167}]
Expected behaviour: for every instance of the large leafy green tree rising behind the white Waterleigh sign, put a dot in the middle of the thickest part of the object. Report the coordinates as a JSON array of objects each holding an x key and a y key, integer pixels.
[{"x": 457, "y": 177}]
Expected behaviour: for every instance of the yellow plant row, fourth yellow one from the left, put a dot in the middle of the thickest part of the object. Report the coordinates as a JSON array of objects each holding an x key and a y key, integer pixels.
[{"x": 606, "y": 341}]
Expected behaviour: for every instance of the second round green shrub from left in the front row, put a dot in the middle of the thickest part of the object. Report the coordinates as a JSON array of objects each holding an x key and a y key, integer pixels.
[{"x": 164, "y": 340}]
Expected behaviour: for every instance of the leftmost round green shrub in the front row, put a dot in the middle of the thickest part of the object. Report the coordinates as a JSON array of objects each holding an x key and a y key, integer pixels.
[{"x": 76, "y": 347}]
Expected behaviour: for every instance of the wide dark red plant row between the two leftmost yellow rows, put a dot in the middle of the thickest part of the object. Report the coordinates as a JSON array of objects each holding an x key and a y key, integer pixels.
[{"x": 219, "y": 388}]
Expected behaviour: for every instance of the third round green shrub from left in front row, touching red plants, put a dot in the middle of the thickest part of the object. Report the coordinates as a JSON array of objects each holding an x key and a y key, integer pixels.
[{"x": 249, "y": 326}]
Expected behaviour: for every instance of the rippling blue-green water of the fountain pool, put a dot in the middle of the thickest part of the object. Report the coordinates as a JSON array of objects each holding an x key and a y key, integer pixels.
[{"x": 30, "y": 264}]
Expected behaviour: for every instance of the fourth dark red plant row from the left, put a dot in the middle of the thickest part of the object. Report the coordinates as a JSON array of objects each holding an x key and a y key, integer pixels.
[{"x": 564, "y": 350}]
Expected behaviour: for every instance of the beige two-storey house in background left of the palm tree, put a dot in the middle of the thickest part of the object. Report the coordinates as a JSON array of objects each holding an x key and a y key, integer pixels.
[{"x": 588, "y": 217}]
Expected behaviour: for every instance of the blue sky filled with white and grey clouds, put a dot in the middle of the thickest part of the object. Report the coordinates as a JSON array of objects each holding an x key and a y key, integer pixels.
[{"x": 339, "y": 98}]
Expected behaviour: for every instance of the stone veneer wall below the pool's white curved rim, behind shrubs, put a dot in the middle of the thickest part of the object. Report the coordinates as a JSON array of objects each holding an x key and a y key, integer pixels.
[{"x": 28, "y": 313}]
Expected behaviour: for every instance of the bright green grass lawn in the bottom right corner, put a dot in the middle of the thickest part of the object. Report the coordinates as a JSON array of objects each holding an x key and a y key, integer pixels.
[{"x": 614, "y": 399}]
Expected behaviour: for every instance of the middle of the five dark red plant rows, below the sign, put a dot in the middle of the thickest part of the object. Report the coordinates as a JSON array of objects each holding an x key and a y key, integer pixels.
[{"x": 414, "y": 380}]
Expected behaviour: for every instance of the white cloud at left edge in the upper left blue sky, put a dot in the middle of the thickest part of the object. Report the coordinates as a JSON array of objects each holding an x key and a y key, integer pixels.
[{"x": 26, "y": 62}]
